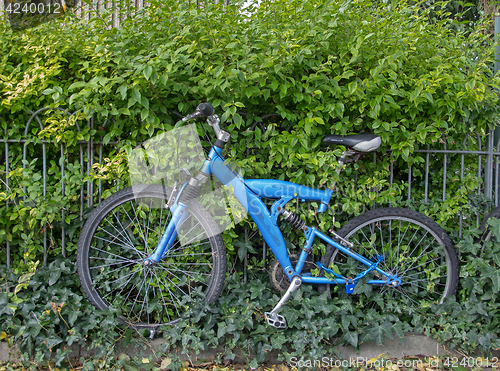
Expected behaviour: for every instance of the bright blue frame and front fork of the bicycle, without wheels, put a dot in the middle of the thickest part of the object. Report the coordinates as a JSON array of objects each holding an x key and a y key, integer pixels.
[{"x": 249, "y": 193}]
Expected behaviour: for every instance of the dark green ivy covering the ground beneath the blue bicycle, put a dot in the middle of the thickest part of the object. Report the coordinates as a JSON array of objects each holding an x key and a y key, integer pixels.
[{"x": 51, "y": 315}]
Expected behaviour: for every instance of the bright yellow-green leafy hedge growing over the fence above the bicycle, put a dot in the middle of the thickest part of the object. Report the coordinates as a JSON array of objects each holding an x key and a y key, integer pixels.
[{"x": 321, "y": 67}]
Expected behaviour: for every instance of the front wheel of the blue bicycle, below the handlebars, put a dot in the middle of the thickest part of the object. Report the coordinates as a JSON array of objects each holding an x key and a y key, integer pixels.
[{"x": 122, "y": 231}]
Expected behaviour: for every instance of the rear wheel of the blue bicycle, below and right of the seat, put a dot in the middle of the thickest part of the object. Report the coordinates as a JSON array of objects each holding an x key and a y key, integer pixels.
[{"x": 414, "y": 247}]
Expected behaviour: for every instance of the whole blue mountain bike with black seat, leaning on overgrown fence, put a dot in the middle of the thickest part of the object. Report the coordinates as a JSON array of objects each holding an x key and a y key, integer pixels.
[{"x": 150, "y": 249}]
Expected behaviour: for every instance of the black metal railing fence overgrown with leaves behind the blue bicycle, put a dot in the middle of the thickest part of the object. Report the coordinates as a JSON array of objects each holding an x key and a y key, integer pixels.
[{"x": 474, "y": 149}]
